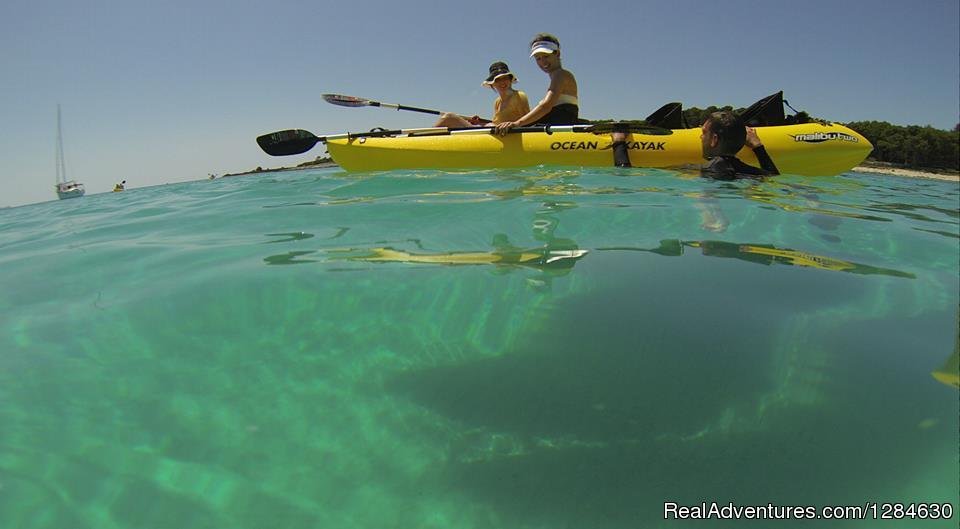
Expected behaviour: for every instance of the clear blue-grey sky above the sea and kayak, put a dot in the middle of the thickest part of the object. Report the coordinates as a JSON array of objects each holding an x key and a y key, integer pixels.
[{"x": 157, "y": 92}]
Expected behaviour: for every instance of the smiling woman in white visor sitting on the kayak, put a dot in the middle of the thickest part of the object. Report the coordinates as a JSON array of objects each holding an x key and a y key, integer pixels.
[{"x": 560, "y": 105}]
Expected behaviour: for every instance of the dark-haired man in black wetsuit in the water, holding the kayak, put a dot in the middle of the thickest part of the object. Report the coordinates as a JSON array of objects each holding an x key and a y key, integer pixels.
[{"x": 721, "y": 138}]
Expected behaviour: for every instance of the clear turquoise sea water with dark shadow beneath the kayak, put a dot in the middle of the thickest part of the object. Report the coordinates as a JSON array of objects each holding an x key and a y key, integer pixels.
[{"x": 546, "y": 348}]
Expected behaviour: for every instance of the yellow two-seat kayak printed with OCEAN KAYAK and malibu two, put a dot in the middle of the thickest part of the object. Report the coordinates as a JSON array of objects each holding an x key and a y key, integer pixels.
[{"x": 813, "y": 149}]
